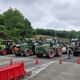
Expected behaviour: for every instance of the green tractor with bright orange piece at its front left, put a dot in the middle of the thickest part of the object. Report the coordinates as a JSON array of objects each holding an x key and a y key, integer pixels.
[{"x": 24, "y": 49}]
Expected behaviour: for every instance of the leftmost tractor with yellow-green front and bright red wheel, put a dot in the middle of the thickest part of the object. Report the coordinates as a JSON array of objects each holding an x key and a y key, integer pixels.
[{"x": 5, "y": 47}]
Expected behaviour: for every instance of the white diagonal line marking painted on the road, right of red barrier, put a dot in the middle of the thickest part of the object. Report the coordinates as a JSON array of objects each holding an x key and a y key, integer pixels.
[{"x": 42, "y": 67}]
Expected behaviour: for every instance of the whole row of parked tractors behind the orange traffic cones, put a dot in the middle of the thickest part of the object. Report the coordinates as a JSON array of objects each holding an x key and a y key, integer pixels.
[{"x": 40, "y": 48}]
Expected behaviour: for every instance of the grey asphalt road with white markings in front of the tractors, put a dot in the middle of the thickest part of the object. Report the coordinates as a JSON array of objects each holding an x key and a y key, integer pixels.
[{"x": 46, "y": 67}]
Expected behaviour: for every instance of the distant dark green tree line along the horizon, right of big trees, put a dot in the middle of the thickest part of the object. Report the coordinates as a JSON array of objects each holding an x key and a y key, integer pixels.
[{"x": 62, "y": 34}]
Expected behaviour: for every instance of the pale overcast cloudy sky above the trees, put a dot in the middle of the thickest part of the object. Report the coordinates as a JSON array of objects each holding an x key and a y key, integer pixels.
[{"x": 47, "y": 14}]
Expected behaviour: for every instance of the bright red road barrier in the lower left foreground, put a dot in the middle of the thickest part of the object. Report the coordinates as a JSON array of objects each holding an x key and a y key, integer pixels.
[{"x": 12, "y": 71}]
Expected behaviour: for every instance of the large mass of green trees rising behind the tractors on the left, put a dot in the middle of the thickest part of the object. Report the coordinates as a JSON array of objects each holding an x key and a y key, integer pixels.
[{"x": 13, "y": 24}]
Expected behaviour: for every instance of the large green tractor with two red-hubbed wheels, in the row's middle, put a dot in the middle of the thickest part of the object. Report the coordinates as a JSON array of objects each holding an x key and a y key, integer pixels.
[{"x": 48, "y": 50}]
